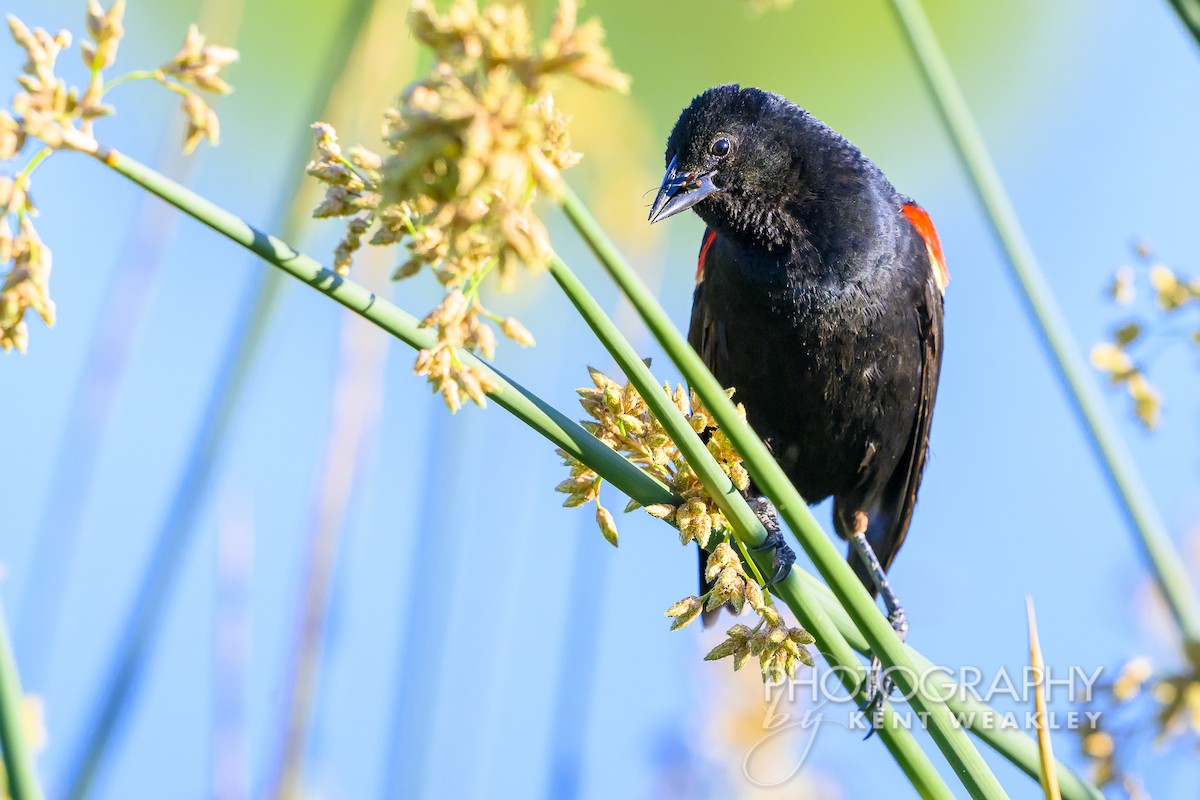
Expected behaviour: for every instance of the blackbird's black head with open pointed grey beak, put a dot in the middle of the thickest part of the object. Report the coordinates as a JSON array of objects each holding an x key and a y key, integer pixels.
[{"x": 734, "y": 158}]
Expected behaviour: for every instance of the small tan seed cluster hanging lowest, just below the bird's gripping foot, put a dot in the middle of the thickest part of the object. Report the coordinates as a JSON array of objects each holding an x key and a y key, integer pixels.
[{"x": 781, "y": 649}]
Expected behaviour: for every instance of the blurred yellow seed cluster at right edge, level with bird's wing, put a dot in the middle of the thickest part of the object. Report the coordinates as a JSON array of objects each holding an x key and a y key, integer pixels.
[{"x": 1175, "y": 298}]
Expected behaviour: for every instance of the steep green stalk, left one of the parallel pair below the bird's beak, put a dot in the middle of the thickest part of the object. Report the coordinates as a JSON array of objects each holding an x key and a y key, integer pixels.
[{"x": 747, "y": 526}]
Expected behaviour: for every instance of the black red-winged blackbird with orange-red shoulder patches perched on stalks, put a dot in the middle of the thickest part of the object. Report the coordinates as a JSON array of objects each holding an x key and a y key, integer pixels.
[{"x": 819, "y": 300}]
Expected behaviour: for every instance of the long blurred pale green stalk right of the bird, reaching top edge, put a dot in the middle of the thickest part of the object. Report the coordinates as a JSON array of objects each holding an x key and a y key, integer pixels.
[{"x": 1161, "y": 554}]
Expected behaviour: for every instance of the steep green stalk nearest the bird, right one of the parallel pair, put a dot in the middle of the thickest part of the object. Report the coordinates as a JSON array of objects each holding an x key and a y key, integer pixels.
[{"x": 770, "y": 478}]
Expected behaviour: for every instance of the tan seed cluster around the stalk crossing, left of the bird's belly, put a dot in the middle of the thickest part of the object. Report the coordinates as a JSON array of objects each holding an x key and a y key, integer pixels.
[{"x": 622, "y": 420}]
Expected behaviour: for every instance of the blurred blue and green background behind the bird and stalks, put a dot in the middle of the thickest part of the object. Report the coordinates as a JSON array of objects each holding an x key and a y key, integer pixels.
[{"x": 532, "y": 649}]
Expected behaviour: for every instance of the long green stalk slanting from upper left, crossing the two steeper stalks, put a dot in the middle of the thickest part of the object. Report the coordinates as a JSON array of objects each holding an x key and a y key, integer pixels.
[{"x": 555, "y": 426}]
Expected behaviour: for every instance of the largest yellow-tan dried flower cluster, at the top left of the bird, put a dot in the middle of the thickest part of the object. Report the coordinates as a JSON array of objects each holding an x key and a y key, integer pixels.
[{"x": 469, "y": 148}]
